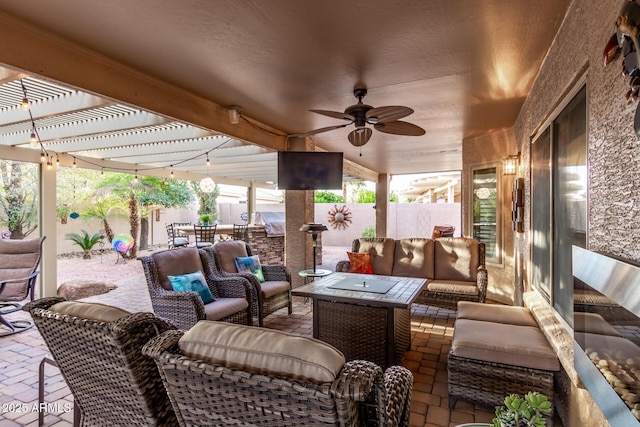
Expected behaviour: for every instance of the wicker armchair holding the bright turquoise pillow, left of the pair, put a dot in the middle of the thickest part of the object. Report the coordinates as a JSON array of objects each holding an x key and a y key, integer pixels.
[{"x": 233, "y": 302}]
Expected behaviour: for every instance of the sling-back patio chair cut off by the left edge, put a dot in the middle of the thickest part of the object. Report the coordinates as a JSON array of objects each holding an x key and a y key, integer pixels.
[{"x": 19, "y": 260}]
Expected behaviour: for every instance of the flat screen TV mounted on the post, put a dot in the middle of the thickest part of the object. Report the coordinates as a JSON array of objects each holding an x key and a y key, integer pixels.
[{"x": 309, "y": 170}]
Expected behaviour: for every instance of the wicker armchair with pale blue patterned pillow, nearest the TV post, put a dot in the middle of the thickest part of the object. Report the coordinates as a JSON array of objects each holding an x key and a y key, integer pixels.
[{"x": 268, "y": 296}]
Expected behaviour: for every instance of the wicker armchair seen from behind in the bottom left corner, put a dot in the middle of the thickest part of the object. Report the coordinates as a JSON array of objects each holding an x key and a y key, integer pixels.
[{"x": 98, "y": 350}]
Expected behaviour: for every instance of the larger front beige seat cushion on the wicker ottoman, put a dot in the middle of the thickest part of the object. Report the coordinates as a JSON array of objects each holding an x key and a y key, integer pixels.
[{"x": 524, "y": 346}]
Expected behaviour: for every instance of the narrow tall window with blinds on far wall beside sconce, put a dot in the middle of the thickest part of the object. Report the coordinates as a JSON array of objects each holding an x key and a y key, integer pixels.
[{"x": 486, "y": 210}]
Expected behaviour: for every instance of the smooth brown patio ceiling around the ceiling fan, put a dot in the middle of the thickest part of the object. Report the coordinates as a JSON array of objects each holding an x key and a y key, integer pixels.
[{"x": 464, "y": 66}]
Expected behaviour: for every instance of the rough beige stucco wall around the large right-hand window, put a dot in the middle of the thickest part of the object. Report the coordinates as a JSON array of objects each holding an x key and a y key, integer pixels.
[{"x": 613, "y": 155}]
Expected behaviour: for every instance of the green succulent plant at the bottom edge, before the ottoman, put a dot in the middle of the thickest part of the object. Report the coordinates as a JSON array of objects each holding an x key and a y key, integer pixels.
[{"x": 523, "y": 411}]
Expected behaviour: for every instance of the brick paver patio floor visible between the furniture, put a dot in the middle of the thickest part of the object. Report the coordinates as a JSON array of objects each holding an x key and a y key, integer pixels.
[{"x": 432, "y": 330}]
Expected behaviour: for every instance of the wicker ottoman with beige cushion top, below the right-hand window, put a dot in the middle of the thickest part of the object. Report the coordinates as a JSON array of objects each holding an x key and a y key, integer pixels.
[{"x": 490, "y": 359}]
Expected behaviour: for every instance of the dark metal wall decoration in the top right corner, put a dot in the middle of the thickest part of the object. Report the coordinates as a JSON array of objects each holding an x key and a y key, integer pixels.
[{"x": 625, "y": 40}]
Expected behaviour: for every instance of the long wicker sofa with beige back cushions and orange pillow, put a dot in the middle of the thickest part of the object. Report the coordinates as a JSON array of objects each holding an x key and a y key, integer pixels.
[{"x": 455, "y": 266}]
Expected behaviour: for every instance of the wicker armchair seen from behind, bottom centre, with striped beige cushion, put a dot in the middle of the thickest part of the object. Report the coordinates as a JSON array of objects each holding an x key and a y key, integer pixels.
[{"x": 356, "y": 393}]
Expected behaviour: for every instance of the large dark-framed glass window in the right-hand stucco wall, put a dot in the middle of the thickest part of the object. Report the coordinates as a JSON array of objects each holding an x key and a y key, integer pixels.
[{"x": 559, "y": 202}]
